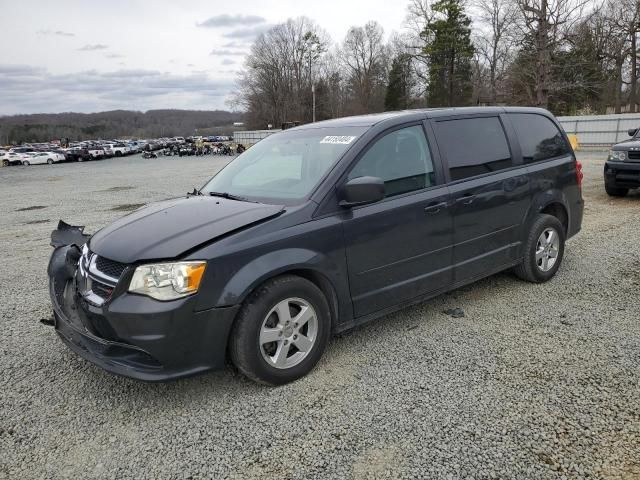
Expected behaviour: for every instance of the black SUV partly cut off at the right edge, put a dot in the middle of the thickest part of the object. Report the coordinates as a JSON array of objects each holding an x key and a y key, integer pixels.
[{"x": 622, "y": 168}]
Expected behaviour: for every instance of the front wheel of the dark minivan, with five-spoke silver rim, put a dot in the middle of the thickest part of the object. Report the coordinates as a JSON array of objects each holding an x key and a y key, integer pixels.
[{"x": 258, "y": 360}]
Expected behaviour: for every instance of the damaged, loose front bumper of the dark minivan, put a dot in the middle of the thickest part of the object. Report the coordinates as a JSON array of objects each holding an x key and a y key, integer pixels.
[{"x": 132, "y": 335}]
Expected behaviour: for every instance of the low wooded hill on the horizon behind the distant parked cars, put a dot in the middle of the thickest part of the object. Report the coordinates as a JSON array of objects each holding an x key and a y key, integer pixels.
[{"x": 43, "y": 127}]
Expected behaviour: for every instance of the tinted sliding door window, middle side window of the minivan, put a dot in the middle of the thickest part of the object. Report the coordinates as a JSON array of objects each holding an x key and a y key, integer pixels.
[{"x": 474, "y": 146}]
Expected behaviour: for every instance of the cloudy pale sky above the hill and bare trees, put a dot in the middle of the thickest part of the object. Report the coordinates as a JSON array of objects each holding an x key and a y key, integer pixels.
[{"x": 89, "y": 56}]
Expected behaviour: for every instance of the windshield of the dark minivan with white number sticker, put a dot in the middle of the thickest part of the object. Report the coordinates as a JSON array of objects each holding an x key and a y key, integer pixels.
[{"x": 284, "y": 167}]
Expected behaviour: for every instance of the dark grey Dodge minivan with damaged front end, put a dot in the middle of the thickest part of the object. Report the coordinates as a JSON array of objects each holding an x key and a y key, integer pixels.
[{"x": 315, "y": 230}]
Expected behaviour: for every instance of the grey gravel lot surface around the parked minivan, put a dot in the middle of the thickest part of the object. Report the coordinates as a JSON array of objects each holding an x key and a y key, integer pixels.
[{"x": 536, "y": 381}]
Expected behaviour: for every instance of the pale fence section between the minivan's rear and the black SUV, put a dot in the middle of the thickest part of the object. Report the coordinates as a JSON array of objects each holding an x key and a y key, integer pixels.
[{"x": 600, "y": 130}]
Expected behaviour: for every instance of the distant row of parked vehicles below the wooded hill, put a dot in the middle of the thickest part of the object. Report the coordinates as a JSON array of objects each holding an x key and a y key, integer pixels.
[{"x": 49, "y": 153}]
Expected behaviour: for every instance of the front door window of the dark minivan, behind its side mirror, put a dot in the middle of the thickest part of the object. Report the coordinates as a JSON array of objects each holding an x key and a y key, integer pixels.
[{"x": 401, "y": 159}]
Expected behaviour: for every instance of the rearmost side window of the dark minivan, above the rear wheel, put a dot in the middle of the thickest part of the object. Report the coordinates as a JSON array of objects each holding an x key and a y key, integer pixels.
[{"x": 539, "y": 138}]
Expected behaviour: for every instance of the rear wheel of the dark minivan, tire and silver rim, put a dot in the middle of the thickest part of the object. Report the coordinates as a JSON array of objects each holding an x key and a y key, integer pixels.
[{"x": 533, "y": 268}]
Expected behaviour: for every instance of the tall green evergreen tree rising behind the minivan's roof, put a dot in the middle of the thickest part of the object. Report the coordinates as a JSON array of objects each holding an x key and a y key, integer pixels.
[{"x": 450, "y": 52}]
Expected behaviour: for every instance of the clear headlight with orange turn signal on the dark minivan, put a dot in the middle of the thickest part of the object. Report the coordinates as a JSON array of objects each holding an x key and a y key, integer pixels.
[{"x": 167, "y": 281}]
